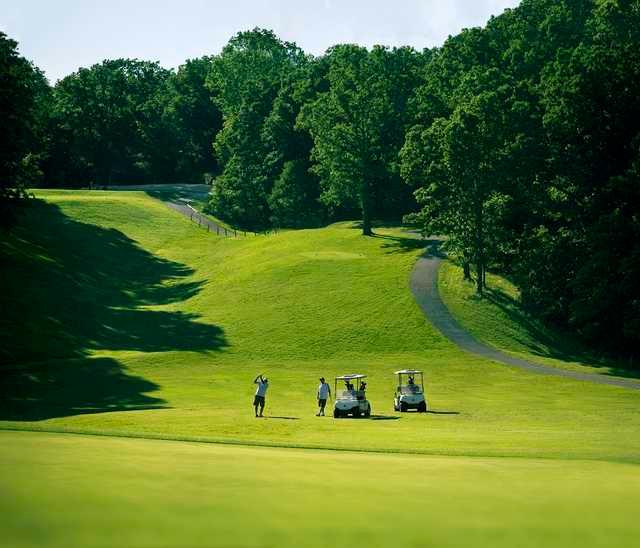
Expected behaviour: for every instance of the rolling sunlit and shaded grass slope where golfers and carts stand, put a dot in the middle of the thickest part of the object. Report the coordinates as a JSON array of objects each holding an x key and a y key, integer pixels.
[{"x": 124, "y": 318}]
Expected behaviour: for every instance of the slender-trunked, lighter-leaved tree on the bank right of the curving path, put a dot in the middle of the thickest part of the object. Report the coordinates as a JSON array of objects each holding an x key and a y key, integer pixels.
[{"x": 460, "y": 162}]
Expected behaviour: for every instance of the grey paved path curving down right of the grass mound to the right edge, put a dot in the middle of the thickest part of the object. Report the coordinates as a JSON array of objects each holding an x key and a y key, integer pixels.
[{"x": 424, "y": 286}]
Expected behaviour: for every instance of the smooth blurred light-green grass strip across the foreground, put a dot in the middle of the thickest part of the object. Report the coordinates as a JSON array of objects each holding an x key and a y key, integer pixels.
[{"x": 122, "y": 492}]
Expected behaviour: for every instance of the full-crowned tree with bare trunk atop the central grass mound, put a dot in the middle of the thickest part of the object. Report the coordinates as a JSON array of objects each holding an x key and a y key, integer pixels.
[{"x": 357, "y": 124}]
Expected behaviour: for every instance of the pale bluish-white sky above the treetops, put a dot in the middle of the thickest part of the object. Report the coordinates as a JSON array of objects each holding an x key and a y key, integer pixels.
[{"x": 62, "y": 35}]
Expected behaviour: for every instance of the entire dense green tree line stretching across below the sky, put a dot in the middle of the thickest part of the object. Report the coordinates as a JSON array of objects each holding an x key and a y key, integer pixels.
[{"x": 519, "y": 141}]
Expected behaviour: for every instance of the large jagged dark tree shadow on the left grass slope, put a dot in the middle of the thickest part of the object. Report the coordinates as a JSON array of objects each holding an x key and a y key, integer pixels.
[{"x": 70, "y": 288}]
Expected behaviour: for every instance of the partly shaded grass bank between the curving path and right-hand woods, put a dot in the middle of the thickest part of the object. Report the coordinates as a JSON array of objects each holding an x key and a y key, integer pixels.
[{"x": 498, "y": 320}]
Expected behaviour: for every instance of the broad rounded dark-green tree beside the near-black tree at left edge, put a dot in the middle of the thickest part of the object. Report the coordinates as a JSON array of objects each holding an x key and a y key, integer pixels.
[{"x": 111, "y": 117}]
